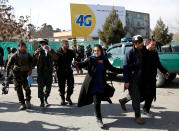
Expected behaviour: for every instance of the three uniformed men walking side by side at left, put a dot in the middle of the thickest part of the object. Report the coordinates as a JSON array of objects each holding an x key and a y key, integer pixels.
[{"x": 45, "y": 59}]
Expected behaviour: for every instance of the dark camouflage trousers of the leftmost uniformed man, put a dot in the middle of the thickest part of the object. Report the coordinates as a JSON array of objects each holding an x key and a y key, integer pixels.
[{"x": 20, "y": 82}]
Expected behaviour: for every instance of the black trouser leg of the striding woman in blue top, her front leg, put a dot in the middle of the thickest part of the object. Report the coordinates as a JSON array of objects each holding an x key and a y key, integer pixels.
[{"x": 97, "y": 105}]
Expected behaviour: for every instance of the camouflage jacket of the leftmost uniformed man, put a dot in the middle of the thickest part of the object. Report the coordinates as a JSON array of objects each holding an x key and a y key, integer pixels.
[{"x": 20, "y": 62}]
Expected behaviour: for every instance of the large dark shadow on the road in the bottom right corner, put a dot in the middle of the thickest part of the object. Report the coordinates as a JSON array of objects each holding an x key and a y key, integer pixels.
[{"x": 166, "y": 120}]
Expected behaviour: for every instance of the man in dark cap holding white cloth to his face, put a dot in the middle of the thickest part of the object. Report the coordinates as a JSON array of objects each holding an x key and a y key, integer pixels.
[{"x": 44, "y": 58}]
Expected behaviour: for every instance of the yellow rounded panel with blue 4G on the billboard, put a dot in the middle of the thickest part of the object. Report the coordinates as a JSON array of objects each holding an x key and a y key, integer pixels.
[{"x": 83, "y": 20}]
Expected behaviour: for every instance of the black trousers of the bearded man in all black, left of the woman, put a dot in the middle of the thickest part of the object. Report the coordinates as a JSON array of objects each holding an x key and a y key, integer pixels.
[{"x": 63, "y": 78}]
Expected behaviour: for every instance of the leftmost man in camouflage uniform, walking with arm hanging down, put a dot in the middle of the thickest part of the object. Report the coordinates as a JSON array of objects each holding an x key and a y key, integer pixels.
[{"x": 22, "y": 62}]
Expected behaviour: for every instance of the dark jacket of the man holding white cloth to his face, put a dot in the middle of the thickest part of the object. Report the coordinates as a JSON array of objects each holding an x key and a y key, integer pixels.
[{"x": 38, "y": 59}]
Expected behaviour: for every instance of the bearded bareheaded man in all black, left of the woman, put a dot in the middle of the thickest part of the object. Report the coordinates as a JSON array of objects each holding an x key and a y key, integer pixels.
[{"x": 65, "y": 72}]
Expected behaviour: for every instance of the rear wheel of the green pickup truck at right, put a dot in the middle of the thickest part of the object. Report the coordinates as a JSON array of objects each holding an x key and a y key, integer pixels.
[{"x": 160, "y": 79}]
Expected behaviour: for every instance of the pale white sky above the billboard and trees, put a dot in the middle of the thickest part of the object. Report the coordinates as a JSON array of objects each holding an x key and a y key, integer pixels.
[{"x": 57, "y": 12}]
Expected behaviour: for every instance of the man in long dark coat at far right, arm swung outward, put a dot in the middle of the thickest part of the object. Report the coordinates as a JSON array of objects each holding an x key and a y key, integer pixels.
[{"x": 151, "y": 64}]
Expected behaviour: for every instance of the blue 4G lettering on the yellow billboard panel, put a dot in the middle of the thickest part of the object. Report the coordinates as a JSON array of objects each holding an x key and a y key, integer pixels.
[{"x": 84, "y": 20}]
